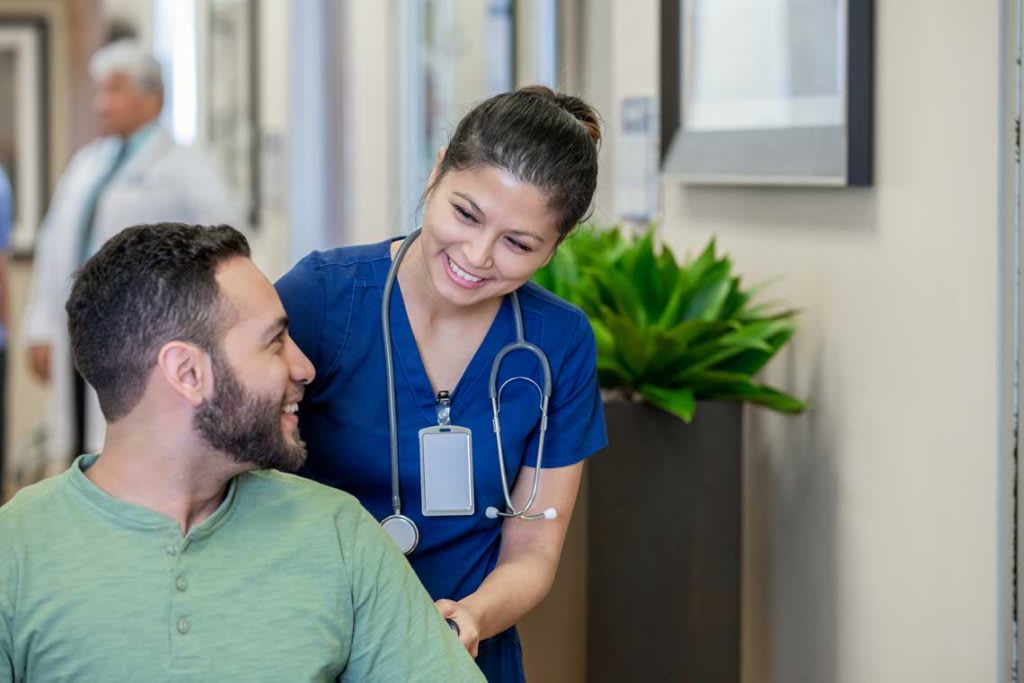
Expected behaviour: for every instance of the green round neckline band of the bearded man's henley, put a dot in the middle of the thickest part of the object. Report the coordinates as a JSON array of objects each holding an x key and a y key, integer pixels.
[{"x": 137, "y": 517}]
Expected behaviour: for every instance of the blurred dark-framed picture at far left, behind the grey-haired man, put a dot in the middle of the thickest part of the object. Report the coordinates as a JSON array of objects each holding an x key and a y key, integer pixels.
[{"x": 25, "y": 124}]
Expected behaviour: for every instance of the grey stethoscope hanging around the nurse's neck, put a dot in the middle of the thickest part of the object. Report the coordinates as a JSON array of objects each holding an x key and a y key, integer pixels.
[{"x": 403, "y": 530}]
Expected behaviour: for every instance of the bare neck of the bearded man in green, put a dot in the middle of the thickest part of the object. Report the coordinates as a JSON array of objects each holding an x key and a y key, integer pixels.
[{"x": 184, "y": 479}]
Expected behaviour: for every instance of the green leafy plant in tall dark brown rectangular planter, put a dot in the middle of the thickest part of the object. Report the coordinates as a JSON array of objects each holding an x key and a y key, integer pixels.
[{"x": 664, "y": 517}]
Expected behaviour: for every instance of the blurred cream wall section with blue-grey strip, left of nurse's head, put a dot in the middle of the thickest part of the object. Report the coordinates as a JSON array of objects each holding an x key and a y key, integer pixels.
[{"x": 304, "y": 187}]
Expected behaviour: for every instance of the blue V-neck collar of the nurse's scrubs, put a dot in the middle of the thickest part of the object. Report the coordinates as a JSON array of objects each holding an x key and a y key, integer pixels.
[{"x": 407, "y": 352}]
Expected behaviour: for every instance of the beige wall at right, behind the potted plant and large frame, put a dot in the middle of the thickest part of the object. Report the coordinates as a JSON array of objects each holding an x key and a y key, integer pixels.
[{"x": 871, "y": 524}]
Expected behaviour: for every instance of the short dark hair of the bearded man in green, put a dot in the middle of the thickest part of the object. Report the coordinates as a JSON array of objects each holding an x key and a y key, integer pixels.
[{"x": 148, "y": 286}]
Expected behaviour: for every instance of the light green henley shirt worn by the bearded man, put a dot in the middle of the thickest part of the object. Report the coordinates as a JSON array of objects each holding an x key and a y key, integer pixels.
[{"x": 287, "y": 581}]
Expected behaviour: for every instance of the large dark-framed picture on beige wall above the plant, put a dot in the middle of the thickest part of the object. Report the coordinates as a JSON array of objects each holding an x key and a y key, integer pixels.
[{"x": 767, "y": 93}]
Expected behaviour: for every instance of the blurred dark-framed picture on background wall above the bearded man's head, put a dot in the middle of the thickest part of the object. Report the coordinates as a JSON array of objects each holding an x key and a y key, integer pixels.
[{"x": 232, "y": 102}]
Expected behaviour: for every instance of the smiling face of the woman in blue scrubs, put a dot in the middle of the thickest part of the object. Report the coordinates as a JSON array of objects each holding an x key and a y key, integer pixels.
[{"x": 485, "y": 234}]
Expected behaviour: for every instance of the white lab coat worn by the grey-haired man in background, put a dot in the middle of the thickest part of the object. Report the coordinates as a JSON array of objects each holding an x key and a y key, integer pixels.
[{"x": 162, "y": 182}]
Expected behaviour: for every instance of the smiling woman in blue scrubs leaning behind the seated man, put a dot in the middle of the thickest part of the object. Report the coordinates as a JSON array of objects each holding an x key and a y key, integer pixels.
[{"x": 516, "y": 180}]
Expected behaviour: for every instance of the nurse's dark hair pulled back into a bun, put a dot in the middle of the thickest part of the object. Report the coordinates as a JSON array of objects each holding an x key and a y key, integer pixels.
[{"x": 546, "y": 139}]
